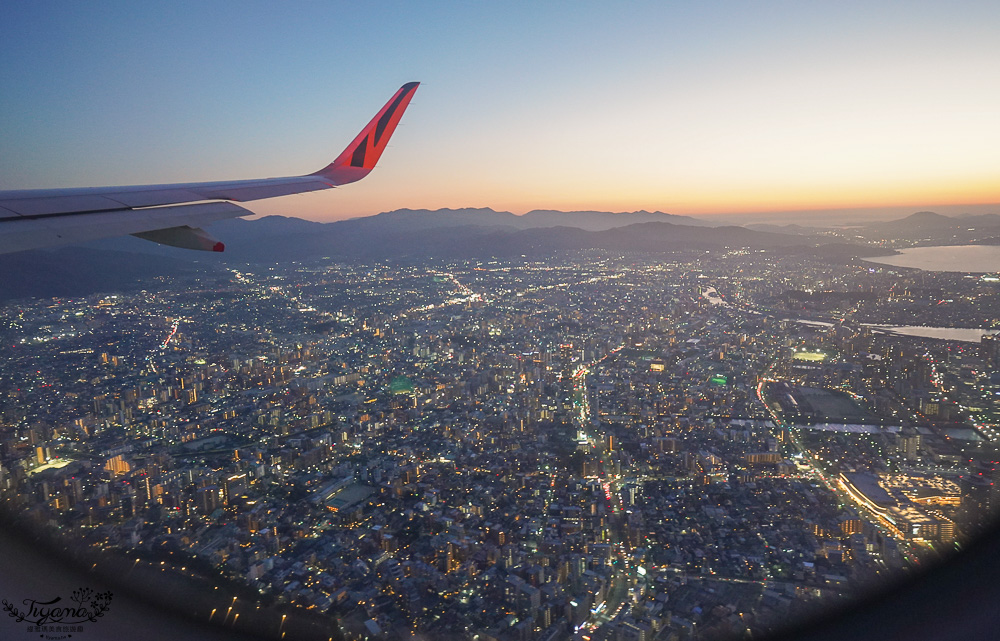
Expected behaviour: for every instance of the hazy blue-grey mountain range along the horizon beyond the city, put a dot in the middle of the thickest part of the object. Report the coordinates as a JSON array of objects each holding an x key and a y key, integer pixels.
[{"x": 415, "y": 235}]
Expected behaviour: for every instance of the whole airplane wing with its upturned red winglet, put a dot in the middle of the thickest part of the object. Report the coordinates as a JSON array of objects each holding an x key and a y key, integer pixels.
[{"x": 171, "y": 214}]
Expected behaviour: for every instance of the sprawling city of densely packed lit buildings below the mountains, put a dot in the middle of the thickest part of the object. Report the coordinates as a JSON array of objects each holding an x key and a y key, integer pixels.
[{"x": 591, "y": 446}]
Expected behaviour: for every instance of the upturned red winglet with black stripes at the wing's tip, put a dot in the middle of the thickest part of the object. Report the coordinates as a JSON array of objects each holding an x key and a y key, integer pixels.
[{"x": 359, "y": 158}]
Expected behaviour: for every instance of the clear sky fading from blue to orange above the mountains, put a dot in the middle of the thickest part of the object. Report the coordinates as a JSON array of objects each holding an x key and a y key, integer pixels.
[{"x": 695, "y": 108}]
